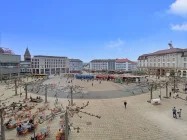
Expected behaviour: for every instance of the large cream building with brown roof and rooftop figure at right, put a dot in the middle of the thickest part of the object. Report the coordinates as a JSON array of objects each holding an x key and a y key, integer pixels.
[{"x": 164, "y": 61}]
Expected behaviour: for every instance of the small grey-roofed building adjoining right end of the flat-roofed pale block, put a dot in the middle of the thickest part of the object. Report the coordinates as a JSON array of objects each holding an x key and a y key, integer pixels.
[{"x": 75, "y": 65}]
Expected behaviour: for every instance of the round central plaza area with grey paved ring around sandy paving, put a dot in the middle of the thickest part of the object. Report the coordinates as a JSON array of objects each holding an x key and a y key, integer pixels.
[{"x": 105, "y": 90}]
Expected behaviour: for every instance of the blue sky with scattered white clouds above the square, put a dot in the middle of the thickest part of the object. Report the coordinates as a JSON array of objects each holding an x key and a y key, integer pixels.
[{"x": 92, "y": 29}]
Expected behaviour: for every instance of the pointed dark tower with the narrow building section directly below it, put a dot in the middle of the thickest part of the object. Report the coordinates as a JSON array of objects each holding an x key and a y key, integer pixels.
[{"x": 25, "y": 66}]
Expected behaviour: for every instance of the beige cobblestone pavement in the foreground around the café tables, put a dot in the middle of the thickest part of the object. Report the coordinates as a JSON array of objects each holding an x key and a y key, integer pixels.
[{"x": 140, "y": 121}]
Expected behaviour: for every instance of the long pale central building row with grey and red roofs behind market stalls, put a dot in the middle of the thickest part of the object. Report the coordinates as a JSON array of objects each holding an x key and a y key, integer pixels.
[{"x": 112, "y": 64}]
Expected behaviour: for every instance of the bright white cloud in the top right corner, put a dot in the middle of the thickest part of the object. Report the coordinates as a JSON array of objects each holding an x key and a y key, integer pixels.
[{"x": 179, "y": 7}]
